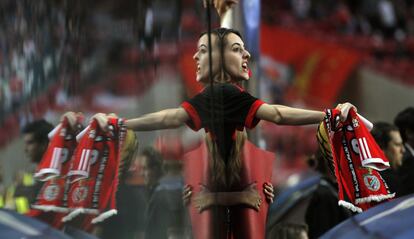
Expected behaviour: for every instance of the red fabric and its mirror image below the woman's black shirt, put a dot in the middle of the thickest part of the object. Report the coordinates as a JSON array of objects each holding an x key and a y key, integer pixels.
[{"x": 247, "y": 223}]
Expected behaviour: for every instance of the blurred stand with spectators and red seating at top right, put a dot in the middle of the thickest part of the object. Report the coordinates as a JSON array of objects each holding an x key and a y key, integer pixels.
[{"x": 383, "y": 30}]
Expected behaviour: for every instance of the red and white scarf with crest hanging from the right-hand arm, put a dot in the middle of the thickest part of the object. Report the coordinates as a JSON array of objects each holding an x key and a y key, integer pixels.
[{"x": 360, "y": 187}]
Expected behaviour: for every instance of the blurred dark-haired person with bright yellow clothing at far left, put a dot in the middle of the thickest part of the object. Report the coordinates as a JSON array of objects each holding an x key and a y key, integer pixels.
[{"x": 23, "y": 192}]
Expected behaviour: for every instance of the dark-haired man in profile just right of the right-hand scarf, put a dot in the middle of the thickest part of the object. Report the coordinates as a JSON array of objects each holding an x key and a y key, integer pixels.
[{"x": 389, "y": 139}]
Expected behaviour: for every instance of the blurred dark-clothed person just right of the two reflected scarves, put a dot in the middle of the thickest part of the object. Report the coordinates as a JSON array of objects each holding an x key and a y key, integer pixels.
[{"x": 133, "y": 197}]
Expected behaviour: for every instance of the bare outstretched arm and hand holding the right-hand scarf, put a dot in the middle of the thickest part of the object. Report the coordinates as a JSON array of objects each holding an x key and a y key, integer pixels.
[{"x": 284, "y": 115}]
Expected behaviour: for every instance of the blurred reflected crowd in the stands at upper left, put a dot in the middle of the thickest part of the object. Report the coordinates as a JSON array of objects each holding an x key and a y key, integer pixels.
[{"x": 51, "y": 51}]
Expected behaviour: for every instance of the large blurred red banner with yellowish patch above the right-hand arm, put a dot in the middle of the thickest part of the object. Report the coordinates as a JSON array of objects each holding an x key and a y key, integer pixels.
[{"x": 320, "y": 68}]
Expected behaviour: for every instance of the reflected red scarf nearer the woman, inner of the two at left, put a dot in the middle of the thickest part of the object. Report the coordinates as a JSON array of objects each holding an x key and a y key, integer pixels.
[{"x": 94, "y": 172}]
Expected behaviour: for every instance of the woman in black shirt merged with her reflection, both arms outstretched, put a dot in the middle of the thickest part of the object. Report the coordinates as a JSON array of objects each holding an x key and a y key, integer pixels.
[{"x": 224, "y": 111}]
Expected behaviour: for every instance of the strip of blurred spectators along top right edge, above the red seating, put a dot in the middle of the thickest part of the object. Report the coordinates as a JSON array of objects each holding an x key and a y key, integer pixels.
[{"x": 380, "y": 18}]
